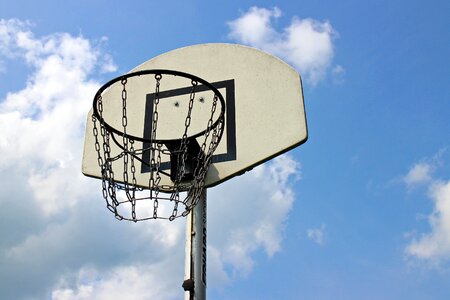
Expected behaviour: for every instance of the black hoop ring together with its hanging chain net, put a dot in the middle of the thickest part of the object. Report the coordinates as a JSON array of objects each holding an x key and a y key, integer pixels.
[{"x": 176, "y": 165}]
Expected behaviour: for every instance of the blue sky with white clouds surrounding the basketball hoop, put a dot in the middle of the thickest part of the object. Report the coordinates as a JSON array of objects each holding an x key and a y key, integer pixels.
[{"x": 367, "y": 199}]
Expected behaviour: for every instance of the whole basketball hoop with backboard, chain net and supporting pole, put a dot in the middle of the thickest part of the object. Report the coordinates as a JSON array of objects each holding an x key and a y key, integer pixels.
[{"x": 158, "y": 138}]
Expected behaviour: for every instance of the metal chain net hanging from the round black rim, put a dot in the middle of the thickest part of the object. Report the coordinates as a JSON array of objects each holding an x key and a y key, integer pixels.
[{"x": 168, "y": 194}]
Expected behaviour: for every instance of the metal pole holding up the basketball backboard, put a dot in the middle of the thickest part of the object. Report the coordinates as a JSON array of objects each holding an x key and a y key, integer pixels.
[{"x": 195, "y": 261}]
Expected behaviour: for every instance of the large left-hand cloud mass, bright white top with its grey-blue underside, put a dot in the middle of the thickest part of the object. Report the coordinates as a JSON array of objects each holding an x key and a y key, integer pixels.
[{"x": 52, "y": 209}]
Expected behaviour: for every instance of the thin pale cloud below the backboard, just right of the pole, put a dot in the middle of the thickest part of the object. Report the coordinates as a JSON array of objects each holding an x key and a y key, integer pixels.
[{"x": 250, "y": 214}]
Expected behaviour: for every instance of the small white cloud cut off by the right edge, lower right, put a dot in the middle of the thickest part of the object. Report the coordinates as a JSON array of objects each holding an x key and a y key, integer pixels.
[{"x": 435, "y": 245}]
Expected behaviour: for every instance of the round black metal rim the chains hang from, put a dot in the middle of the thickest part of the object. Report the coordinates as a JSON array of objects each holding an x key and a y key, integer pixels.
[{"x": 156, "y": 72}]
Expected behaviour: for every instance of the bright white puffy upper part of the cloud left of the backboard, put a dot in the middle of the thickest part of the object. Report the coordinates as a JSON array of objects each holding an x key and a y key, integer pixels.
[{"x": 42, "y": 125}]
